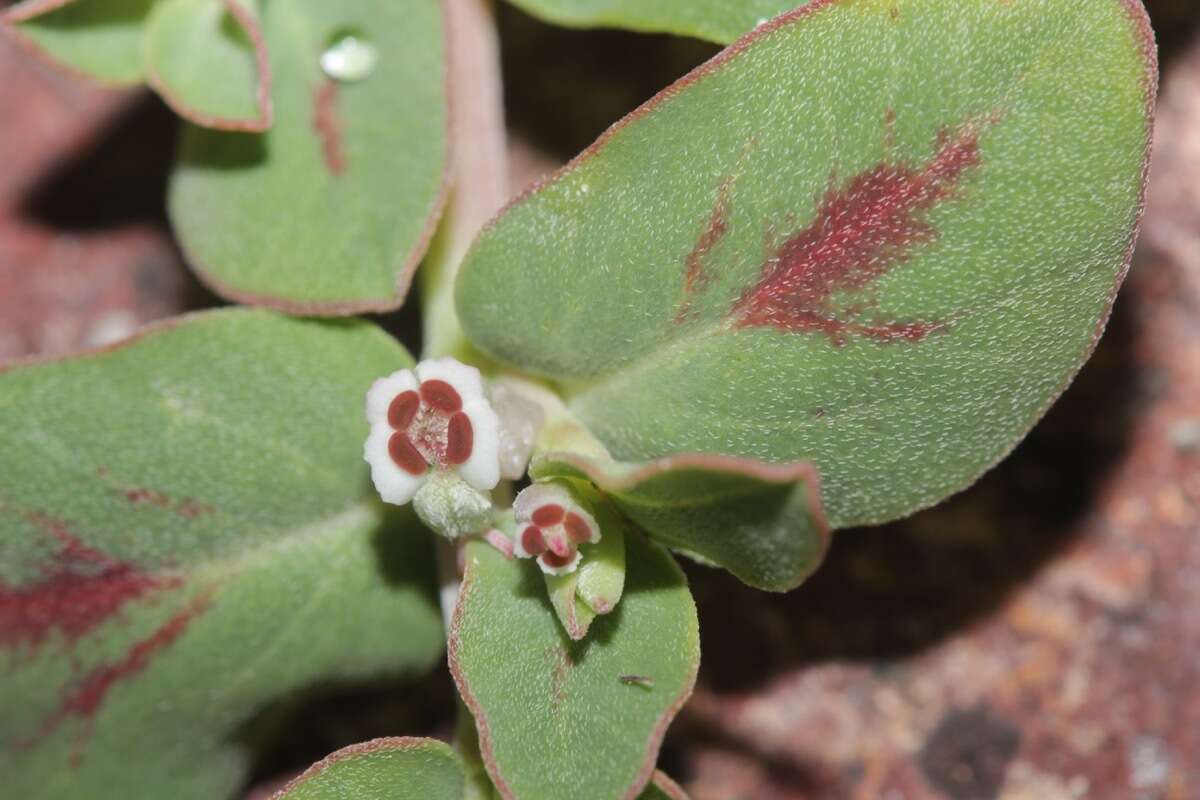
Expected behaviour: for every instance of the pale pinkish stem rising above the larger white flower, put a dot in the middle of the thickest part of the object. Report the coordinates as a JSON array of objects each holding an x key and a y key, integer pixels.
[{"x": 479, "y": 165}]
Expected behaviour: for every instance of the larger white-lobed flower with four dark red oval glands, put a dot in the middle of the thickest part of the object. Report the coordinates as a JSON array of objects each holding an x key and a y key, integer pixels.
[{"x": 428, "y": 422}]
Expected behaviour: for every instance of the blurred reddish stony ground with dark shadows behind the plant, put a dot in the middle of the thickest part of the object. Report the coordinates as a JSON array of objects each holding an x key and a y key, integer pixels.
[{"x": 1036, "y": 637}]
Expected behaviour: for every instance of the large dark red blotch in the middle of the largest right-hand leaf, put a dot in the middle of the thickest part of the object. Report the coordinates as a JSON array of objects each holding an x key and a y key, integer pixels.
[{"x": 862, "y": 231}]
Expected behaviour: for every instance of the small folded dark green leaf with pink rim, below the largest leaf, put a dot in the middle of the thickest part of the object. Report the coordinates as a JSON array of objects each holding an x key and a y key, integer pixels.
[{"x": 761, "y": 522}]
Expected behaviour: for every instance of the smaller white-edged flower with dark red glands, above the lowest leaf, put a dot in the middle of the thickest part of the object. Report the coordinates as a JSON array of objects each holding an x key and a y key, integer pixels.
[{"x": 551, "y": 526}]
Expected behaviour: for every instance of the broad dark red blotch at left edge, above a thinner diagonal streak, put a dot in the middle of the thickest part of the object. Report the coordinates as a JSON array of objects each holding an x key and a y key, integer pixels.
[{"x": 80, "y": 590}]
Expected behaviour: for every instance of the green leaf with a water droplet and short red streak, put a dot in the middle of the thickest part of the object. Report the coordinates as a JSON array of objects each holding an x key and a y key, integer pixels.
[{"x": 329, "y": 212}]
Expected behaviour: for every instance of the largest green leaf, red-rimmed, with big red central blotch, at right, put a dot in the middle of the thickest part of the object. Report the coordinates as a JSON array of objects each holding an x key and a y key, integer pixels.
[{"x": 880, "y": 237}]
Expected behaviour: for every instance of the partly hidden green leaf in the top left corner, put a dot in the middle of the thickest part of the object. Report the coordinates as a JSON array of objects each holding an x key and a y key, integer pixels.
[{"x": 101, "y": 39}]
